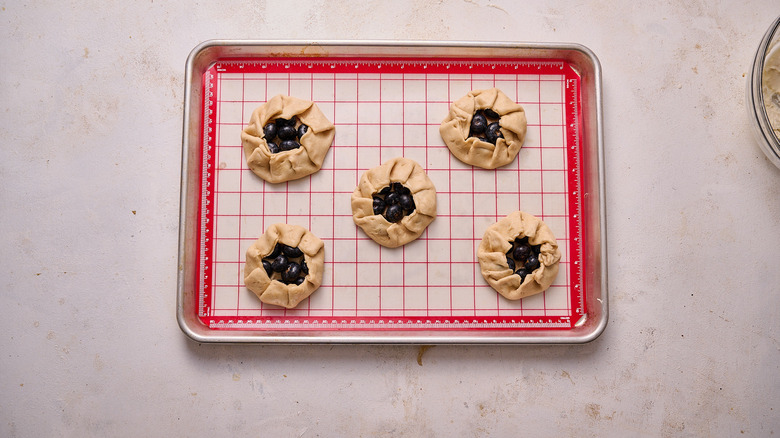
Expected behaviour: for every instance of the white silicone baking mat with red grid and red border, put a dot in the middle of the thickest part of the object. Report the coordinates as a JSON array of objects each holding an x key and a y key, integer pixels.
[{"x": 384, "y": 109}]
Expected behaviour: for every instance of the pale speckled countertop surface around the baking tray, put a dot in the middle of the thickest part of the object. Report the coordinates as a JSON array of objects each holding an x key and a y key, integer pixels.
[{"x": 92, "y": 101}]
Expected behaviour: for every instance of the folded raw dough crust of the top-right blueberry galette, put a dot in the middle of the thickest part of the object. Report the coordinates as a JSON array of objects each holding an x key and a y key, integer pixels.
[{"x": 455, "y": 129}]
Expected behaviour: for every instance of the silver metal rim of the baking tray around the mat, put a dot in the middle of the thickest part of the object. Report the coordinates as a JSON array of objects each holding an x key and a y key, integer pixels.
[{"x": 588, "y": 328}]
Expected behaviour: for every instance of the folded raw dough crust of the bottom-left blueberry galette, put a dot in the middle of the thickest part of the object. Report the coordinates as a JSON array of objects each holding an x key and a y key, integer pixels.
[{"x": 273, "y": 291}]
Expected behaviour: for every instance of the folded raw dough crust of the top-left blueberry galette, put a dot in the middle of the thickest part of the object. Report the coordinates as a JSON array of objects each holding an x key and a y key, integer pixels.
[{"x": 296, "y": 163}]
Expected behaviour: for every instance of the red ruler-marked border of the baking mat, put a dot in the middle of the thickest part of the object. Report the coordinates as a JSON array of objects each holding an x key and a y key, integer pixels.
[{"x": 450, "y": 66}]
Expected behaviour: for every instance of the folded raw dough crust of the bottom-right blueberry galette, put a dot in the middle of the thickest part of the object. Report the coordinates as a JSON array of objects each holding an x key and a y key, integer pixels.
[{"x": 497, "y": 241}]
